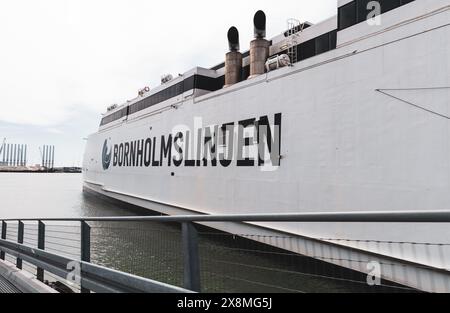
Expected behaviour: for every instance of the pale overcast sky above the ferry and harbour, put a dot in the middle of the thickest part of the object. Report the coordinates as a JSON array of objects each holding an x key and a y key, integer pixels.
[{"x": 62, "y": 62}]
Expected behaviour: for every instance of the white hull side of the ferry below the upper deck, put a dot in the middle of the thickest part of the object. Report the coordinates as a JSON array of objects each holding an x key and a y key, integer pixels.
[{"x": 364, "y": 127}]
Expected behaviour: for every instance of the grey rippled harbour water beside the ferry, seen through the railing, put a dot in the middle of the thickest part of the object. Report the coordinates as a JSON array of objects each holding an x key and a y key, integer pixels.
[{"x": 228, "y": 263}]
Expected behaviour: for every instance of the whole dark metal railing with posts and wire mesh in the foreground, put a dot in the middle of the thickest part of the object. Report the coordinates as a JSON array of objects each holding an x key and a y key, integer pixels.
[{"x": 51, "y": 247}]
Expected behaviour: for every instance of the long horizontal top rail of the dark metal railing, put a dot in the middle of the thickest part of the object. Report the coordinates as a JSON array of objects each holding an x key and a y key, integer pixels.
[{"x": 350, "y": 217}]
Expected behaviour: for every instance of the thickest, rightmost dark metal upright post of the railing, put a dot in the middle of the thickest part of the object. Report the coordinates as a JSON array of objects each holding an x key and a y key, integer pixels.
[{"x": 191, "y": 257}]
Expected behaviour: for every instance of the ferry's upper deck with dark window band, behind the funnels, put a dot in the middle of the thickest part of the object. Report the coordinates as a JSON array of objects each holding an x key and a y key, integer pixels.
[{"x": 310, "y": 41}]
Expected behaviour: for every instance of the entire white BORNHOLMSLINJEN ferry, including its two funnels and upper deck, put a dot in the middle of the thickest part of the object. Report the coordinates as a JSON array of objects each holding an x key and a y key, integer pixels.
[{"x": 358, "y": 121}]
